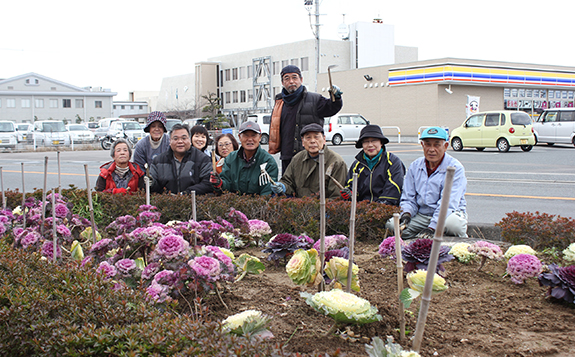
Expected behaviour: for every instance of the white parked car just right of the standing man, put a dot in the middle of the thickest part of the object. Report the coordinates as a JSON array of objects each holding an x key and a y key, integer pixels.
[{"x": 344, "y": 127}]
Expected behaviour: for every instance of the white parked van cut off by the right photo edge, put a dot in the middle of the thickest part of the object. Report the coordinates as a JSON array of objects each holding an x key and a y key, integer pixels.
[{"x": 555, "y": 126}]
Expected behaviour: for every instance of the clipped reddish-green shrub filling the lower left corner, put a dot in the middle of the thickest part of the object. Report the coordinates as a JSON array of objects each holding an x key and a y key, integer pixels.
[{"x": 49, "y": 309}]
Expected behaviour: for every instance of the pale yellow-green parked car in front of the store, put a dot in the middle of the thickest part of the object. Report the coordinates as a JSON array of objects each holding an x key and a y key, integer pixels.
[{"x": 500, "y": 129}]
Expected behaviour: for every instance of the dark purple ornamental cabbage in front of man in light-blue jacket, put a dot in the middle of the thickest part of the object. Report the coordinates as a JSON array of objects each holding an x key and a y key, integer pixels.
[{"x": 417, "y": 255}]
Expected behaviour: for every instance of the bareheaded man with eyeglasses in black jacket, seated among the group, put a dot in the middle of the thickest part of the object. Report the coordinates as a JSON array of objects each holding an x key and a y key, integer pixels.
[{"x": 182, "y": 168}]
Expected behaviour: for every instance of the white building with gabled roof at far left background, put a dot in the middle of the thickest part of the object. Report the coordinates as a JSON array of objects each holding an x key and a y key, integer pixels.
[{"x": 32, "y": 96}]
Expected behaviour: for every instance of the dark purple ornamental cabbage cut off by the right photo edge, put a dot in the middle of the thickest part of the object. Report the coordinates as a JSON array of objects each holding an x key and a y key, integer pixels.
[{"x": 561, "y": 282}]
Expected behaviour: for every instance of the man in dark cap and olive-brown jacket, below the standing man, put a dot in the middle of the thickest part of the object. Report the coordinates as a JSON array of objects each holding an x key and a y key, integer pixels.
[{"x": 302, "y": 175}]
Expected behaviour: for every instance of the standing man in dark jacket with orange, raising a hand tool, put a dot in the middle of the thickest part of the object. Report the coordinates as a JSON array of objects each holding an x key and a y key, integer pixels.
[{"x": 295, "y": 108}]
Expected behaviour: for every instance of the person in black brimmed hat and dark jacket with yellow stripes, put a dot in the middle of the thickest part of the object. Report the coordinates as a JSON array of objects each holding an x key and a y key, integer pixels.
[{"x": 379, "y": 173}]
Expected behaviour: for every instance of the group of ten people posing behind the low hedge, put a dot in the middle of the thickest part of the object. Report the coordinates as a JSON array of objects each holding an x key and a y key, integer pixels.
[{"x": 180, "y": 162}]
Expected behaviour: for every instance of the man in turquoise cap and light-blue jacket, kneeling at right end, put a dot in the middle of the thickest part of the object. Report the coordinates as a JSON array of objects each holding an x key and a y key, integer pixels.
[{"x": 423, "y": 189}]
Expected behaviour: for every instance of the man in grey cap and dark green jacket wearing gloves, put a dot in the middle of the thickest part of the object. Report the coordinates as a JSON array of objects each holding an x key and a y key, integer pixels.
[{"x": 241, "y": 171}]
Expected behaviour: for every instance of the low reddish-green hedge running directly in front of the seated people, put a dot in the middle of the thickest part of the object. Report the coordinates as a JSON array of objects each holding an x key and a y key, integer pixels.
[{"x": 284, "y": 215}]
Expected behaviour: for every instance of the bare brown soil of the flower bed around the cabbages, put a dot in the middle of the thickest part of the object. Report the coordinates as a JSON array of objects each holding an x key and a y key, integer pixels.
[{"x": 482, "y": 314}]
